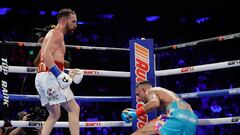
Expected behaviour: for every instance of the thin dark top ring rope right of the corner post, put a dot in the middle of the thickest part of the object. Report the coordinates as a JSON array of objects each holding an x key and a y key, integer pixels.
[{"x": 197, "y": 42}]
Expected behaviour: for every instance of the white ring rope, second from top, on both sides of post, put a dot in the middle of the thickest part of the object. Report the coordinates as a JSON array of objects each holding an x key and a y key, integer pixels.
[{"x": 191, "y": 69}]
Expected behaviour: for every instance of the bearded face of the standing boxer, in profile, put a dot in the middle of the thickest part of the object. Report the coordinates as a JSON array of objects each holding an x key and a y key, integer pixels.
[{"x": 71, "y": 24}]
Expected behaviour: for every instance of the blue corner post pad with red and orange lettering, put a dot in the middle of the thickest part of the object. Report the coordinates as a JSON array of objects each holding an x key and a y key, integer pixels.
[{"x": 141, "y": 68}]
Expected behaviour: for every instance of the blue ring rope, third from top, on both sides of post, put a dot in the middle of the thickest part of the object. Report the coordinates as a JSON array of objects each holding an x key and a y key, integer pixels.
[{"x": 210, "y": 93}]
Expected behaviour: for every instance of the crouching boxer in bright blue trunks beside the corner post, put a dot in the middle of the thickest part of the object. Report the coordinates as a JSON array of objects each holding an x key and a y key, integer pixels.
[{"x": 178, "y": 120}]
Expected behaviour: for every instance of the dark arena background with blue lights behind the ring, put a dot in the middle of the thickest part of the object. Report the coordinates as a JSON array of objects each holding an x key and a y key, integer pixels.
[{"x": 112, "y": 23}]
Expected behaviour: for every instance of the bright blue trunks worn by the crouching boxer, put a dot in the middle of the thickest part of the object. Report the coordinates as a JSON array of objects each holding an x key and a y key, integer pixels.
[{"x": 180, "y": 121}]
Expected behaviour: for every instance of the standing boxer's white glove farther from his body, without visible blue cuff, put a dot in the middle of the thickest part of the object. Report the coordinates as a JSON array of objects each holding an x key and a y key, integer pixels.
[{"x": 76, "y": 75}]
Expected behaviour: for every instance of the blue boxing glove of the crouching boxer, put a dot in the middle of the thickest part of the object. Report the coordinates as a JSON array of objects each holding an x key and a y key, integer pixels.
[{"x": 129, "y": 115}]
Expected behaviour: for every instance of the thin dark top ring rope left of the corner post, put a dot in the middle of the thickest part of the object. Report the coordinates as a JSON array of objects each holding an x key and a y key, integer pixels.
[{"x": 31, "y": 44}]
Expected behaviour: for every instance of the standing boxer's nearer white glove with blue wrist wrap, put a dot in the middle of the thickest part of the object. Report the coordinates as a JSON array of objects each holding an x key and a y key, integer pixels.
[{"x": 63, "y": 79}]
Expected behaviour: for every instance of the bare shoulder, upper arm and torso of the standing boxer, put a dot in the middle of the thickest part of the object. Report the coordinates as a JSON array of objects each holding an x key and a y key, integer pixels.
[{"x": 53, "y": 47}]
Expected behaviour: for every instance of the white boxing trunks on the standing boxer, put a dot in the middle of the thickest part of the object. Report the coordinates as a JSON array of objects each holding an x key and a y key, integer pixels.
[{"x": 49, "y": 90}]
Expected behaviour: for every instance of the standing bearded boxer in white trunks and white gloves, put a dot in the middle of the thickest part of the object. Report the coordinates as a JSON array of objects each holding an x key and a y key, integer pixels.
[{"x": 52, "y": 83}]
